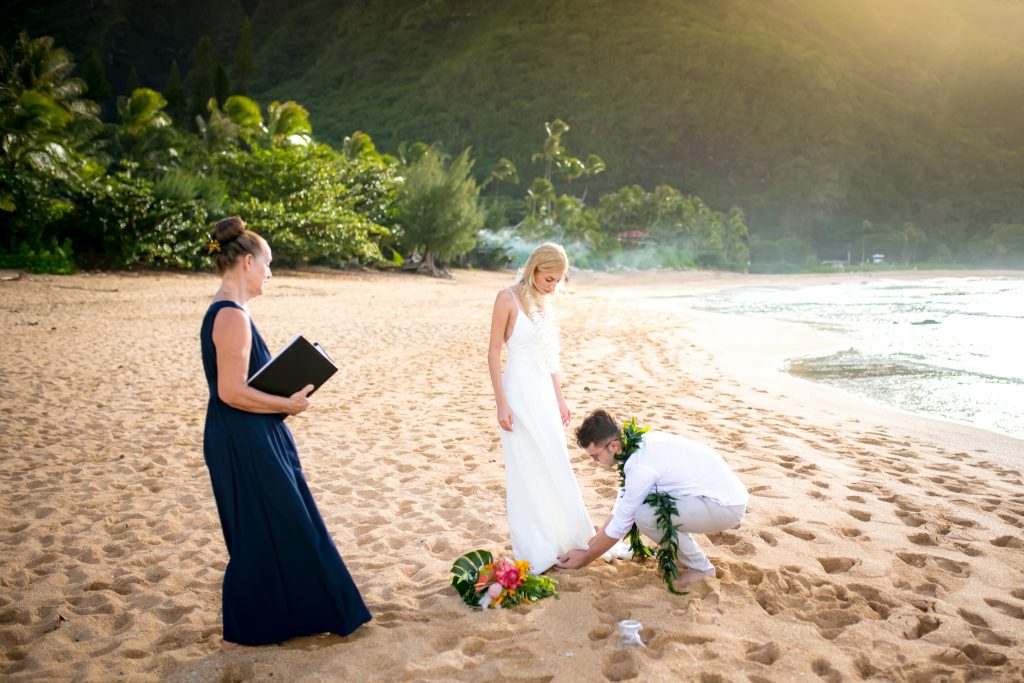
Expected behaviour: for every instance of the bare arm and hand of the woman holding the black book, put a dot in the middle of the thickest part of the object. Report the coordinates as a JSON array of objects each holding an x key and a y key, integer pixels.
[{"x": 233, "y": 339}]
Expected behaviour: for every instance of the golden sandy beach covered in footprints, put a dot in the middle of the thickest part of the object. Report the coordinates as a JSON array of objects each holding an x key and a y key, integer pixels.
[{"x": 878, "y": 545}]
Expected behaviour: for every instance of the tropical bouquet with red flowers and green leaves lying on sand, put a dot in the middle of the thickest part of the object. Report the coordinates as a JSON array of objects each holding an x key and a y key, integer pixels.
[{"x": 484, "y": 582}]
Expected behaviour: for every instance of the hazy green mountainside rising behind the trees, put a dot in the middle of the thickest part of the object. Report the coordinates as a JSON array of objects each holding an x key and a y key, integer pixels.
[{"x": 813, "y": 116}]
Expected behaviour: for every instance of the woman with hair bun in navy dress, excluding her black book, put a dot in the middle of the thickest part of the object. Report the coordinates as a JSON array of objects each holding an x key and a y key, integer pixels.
[{"x": 284, "y": 577}]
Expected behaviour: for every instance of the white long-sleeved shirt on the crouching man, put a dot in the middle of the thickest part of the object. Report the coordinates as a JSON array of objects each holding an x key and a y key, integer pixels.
[{"x": 677, "y": 466}]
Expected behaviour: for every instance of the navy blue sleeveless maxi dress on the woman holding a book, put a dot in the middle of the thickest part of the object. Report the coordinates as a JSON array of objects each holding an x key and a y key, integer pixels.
[{"x": 285, "y": 577}]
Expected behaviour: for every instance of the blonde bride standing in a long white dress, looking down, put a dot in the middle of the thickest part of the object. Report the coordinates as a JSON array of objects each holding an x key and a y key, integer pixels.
[{"x": 547, "y": 517}]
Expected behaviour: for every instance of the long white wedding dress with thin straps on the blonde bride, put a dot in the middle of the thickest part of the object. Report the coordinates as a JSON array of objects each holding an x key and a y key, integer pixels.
[{"x": 547, "y": 517}]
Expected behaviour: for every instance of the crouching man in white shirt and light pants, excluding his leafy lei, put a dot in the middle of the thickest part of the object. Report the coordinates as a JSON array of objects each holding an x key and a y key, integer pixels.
[{"x": 708, "y": 495}]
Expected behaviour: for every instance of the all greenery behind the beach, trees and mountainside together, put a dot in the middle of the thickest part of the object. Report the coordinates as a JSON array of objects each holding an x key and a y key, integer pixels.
[{"x": 771, "y": 136}]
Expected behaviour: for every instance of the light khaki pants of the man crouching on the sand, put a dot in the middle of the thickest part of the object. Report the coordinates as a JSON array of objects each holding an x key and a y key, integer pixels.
[{"x": 697, "y": 516}]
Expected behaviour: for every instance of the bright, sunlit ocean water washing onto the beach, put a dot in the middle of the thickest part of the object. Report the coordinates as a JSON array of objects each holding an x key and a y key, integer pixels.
[{"x": 952, "y": 348}]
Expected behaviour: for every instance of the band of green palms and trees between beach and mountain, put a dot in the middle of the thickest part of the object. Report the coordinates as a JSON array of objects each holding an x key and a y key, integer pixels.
[{"x": 144, "y": 187}]
